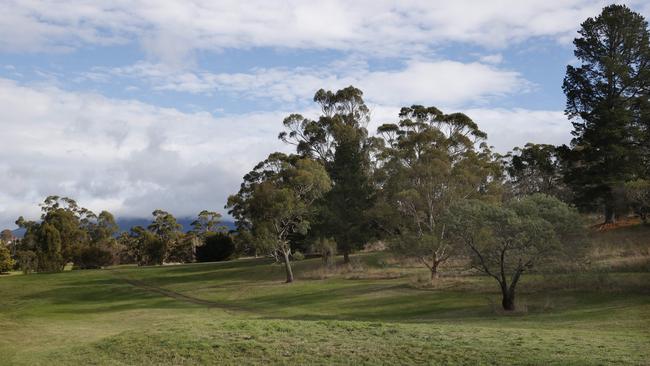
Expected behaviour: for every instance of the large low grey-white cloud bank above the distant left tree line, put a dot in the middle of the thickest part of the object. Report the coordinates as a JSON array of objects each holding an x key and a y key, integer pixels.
[{"x": 124, "y": 156}]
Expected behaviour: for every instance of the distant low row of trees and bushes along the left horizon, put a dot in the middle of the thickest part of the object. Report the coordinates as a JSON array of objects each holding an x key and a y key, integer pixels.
[{"x": 68, "y": 233}]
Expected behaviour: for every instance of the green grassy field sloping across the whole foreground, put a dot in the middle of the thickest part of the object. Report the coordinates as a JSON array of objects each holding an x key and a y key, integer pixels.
[{"x": 377, "y": 311}]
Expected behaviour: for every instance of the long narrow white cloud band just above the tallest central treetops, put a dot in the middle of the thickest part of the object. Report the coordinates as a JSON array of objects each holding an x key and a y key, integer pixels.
[{"x": 428, "y": 82}]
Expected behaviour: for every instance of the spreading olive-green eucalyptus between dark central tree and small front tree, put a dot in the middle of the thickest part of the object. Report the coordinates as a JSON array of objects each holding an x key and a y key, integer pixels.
[{"x": 429, "y": 161}]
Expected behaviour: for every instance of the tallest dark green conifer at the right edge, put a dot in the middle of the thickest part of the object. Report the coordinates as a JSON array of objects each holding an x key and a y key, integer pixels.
[{"x": 607, "y": 99}]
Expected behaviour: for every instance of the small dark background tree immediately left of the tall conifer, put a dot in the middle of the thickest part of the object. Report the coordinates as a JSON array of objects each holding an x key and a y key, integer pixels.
[{"x": 536, "y": 168}]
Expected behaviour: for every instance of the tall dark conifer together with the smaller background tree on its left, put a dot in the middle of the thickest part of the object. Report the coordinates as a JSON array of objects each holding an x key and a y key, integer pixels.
[{"x": 607, "y": 165}]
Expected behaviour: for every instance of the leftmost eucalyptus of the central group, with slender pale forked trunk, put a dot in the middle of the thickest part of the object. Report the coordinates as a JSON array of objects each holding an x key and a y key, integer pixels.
[{"x": 275, "y": 201}]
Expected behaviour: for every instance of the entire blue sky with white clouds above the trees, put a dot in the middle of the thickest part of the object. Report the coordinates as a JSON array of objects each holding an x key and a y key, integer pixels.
[{"x": 130, "y": 106}]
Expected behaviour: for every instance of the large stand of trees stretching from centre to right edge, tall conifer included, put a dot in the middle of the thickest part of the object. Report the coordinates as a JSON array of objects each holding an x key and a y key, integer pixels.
[{"x": 430, "y": 186}]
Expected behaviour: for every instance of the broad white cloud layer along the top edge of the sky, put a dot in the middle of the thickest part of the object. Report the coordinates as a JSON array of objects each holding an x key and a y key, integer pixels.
[{"x": 171, "y": 29}]
